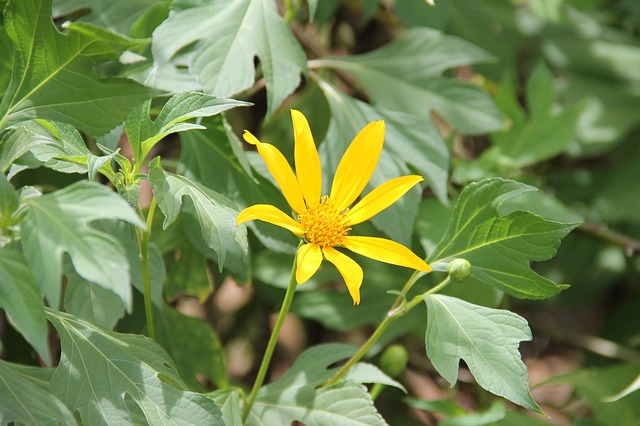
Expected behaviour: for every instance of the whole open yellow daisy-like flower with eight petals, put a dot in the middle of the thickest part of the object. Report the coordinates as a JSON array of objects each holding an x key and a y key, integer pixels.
[{"x": 324, "y": 222}]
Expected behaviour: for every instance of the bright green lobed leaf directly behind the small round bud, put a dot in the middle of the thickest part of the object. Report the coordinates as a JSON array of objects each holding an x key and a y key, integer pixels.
[{"x": 500, "y": 248}]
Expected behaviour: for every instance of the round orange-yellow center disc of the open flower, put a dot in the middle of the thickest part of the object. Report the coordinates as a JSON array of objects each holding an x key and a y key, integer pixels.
[{"x": 323, "y": 224}]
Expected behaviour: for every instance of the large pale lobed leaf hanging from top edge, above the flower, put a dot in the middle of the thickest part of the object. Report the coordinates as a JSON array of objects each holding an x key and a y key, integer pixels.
[{"x": 229, "y": 35}]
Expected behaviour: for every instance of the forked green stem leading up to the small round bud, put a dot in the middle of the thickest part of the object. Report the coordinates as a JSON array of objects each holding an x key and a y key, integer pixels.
[{"x": 399, "y": 308}]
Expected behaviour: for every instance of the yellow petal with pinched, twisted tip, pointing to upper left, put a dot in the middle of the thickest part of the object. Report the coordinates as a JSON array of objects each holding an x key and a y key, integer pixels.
[{"x": 280, "y": 170}]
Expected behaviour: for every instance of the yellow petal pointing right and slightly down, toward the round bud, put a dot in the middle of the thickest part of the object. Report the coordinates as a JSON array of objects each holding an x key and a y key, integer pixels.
[{"x": 386, "y": 251}]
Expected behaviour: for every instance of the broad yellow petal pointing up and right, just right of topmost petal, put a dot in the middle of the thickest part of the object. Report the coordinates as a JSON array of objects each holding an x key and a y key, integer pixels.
[{"x": 357, "y": 165}]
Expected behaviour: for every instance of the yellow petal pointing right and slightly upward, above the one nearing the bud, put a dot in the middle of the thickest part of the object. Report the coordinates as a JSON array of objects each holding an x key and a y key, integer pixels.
[{"x": 381, "y": 198}]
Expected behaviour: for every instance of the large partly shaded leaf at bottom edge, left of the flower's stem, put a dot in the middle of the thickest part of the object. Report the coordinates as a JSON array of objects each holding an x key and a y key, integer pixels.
[{"x": 104, "y": 375}]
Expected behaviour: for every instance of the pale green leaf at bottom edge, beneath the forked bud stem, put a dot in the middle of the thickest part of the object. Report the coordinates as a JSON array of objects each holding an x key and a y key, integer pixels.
[{"x": 294, "y": 395}]
